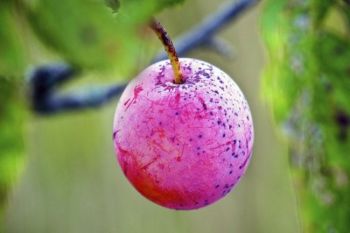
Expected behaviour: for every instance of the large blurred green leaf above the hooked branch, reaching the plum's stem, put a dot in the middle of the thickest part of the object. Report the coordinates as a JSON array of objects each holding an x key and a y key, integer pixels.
[{"x": 87, "y": 34}]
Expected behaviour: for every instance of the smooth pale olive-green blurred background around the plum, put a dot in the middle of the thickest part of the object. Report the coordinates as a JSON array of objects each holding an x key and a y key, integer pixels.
[{"x": 72, "y": 182}]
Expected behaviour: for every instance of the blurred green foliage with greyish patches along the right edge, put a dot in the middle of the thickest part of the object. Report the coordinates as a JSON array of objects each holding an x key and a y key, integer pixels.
[{"x": 307, "y": 84}]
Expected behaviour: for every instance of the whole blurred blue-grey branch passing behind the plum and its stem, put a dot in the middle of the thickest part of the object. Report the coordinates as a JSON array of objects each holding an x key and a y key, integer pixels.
[{"x": 44, "y": 81}]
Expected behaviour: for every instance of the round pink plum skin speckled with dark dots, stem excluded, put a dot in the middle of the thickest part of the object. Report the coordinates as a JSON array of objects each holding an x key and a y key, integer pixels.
[{"x": 183, "y": 146}]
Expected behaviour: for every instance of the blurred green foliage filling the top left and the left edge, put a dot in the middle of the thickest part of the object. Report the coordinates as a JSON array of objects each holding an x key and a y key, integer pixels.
[{"x": 86, "y": 34}]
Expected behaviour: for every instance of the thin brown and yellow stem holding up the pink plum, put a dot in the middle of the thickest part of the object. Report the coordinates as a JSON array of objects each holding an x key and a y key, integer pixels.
[{"x": 169, "y": 48}]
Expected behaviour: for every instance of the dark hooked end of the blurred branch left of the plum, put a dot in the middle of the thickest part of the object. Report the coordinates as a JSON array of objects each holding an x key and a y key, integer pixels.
[{"x": 45, "y": 81}]
